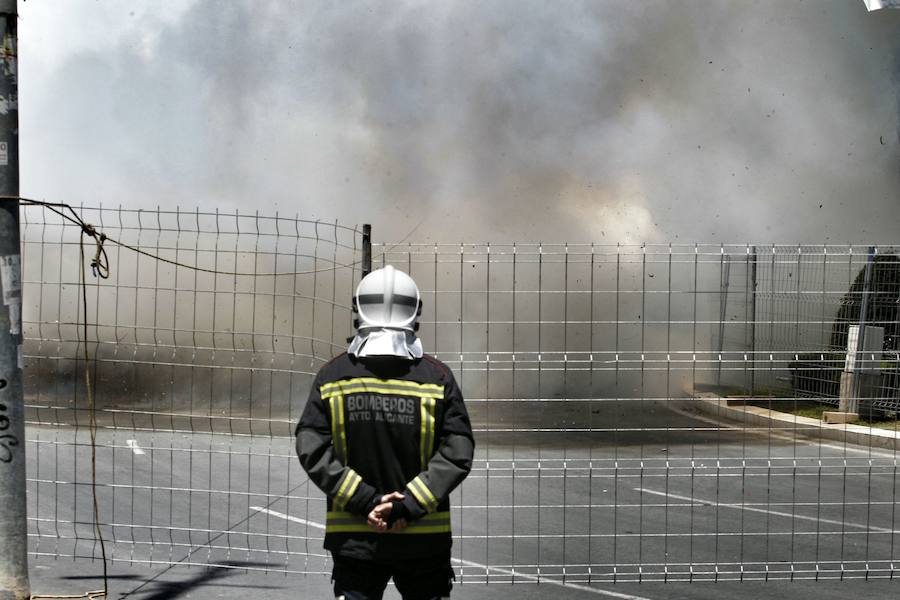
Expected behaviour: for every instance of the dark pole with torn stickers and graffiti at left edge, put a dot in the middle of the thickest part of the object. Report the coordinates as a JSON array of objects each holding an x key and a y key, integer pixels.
[{"x": 13, "y": 525}]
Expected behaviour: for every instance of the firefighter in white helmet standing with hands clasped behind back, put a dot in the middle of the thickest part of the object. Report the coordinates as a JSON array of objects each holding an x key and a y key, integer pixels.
[{"x": 386, "y": 436}]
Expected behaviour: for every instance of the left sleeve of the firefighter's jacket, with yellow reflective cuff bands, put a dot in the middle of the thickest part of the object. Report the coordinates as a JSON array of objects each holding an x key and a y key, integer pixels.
[{"x": 343, "y": 486}]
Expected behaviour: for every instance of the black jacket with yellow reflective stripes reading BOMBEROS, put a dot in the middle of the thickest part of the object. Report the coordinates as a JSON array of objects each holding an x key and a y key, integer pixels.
[{"x": 378, "y": 425}]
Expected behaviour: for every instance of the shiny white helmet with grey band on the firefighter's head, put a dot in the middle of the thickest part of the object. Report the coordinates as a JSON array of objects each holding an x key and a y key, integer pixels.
[{"x": 388, "y": 298}]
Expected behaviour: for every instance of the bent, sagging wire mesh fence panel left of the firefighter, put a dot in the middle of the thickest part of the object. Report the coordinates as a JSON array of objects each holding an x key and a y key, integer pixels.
[{"x": 204, "y": 343}]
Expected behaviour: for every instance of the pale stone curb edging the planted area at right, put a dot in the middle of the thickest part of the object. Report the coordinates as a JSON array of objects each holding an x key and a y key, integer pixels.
[{"x": 754, "y": 416}]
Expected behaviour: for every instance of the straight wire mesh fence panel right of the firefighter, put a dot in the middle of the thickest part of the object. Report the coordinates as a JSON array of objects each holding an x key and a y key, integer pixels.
[{"x": 582, "y": 364}]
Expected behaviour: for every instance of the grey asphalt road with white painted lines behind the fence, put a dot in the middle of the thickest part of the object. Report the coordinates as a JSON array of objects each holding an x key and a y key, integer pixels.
[{"x": 660, "y": 508}]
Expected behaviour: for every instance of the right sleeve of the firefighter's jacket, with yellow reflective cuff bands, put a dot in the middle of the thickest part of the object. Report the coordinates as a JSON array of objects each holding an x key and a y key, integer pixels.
[{"x": 450, "y": 463}]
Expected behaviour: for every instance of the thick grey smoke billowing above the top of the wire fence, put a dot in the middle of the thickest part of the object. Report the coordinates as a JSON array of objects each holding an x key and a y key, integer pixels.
[{"x": 502, "y": 121}]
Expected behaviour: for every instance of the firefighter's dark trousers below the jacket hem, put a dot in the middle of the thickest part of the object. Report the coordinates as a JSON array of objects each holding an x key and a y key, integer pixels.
[{"x": 420, "y": 579}]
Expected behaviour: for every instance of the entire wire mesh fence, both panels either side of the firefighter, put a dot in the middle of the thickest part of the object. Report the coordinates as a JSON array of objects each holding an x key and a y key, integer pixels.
[{"x": 582, "y": 366}]
